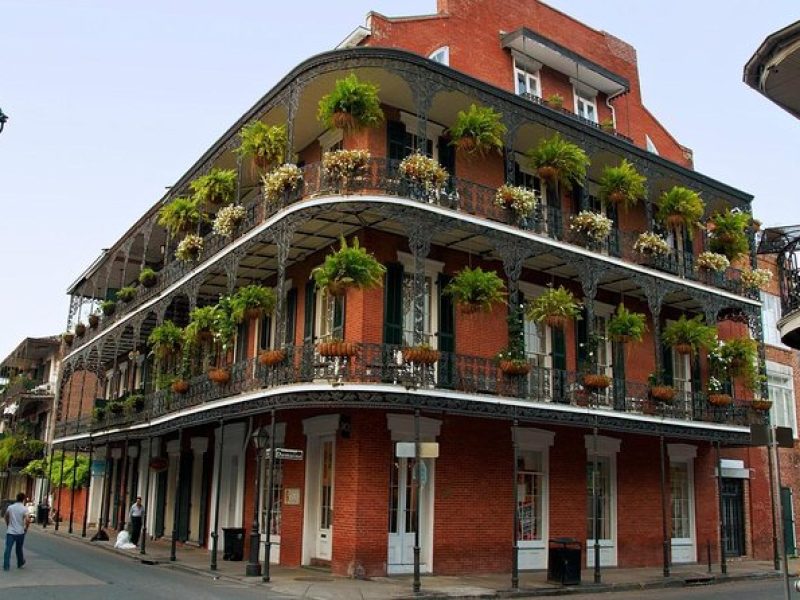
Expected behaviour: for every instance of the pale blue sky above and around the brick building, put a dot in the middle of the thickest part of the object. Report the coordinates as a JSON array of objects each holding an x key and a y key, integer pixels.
[{"x": 109, "y": 102}]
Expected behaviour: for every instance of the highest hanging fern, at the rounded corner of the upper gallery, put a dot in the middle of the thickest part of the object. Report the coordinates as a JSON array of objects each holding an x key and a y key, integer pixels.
[{"x": 352, "y": 105}]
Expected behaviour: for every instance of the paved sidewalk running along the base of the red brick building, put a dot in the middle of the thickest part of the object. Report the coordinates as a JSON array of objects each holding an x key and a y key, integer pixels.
[{"x": 320, "y": 584}]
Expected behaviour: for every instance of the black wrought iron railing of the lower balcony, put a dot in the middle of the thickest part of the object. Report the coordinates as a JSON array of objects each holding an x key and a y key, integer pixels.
[{"x": 389, "y": 365}]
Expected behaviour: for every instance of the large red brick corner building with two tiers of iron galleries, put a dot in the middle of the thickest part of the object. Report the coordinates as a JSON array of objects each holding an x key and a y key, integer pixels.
[{"x": 350, "y": 503}]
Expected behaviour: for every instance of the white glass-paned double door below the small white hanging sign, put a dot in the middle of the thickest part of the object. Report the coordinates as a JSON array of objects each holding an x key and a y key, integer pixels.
[{"x": 402, "y": 515}]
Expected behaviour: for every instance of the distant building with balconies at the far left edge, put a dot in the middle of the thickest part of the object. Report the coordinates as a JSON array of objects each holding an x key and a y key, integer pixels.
[{"x": 26, "y": 406}]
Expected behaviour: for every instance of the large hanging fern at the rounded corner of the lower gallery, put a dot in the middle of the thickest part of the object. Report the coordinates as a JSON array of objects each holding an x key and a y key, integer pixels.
[{"x": 349, "y": 266}]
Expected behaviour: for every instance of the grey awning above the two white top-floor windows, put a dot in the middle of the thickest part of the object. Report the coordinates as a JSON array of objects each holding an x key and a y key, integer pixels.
[{"x": 526, "y": 44}]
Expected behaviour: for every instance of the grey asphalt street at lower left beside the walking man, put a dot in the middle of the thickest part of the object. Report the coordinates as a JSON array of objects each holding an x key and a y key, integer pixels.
[{"x": 65, "y": 569}]
